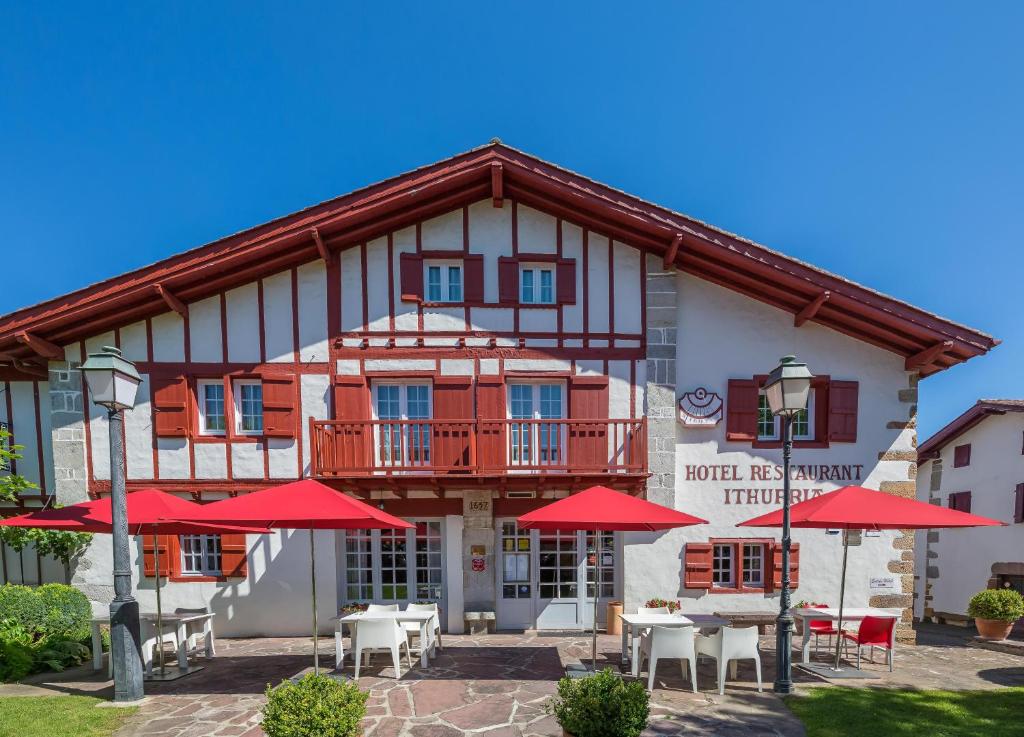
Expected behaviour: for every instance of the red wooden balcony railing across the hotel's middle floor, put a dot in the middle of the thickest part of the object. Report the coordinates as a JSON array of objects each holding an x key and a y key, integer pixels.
[{"x": 482, "y": 448}]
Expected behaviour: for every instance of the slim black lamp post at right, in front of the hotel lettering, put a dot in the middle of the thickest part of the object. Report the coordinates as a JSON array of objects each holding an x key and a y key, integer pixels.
[{"x": 787, "y": 389}]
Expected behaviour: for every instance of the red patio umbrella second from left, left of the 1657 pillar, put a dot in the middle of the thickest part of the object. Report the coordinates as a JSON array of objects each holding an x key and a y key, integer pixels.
[{"x": 301, "y": 505}]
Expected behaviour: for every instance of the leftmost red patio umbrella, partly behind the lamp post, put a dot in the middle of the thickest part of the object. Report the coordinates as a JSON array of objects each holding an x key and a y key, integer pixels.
[{"x": 150, "y": 511}]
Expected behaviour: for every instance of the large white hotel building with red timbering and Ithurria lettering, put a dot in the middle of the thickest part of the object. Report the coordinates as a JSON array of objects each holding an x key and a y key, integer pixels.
[{"x": 464, "y": 343}]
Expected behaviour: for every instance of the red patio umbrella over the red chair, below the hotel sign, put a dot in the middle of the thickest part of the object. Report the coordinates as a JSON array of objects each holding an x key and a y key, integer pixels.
[{"x": 857, "y": 508}]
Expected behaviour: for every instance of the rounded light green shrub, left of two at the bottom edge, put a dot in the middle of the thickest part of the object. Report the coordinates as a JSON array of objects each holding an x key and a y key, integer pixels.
[{"x": 314, "y": 707}]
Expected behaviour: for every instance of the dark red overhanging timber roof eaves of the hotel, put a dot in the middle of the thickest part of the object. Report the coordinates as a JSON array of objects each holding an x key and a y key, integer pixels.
[{"x": 497, "y": 172}]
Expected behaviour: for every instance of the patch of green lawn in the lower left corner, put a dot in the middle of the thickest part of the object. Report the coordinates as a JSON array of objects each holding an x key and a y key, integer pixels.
[{"x": 59, "y": 717}]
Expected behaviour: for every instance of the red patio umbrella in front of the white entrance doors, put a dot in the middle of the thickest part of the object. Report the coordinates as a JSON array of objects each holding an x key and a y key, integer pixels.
[{"x": 603, "y": 510}]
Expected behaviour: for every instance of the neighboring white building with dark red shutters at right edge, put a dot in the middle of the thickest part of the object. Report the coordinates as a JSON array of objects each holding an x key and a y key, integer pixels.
[{"x": 975, "y": 464}]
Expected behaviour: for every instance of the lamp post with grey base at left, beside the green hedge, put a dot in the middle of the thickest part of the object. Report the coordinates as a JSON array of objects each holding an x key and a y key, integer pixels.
[{"x": 113, "y": 382}]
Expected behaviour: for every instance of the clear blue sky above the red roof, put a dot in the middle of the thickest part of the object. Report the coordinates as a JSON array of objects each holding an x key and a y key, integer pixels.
[{"x": 882, "y": 142}]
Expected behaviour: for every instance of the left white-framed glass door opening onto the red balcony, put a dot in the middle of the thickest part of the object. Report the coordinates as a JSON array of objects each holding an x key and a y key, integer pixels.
[{"x": 401, "y": 441}]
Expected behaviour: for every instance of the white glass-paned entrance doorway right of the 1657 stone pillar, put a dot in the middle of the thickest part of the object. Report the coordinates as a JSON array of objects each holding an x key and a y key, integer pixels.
[{"x": 547, "y": 581}]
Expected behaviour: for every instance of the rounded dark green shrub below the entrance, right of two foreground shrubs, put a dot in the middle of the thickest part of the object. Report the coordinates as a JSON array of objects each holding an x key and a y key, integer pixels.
[{"x": 601, "y": 706}]
